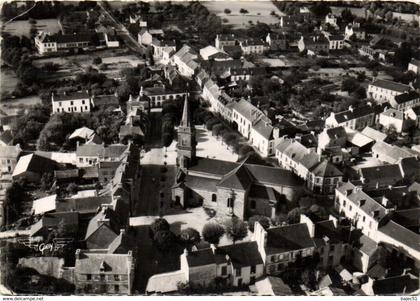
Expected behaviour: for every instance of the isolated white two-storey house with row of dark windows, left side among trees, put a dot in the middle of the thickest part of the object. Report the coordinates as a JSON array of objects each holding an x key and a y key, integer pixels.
[{"x": 71, "y": 102}]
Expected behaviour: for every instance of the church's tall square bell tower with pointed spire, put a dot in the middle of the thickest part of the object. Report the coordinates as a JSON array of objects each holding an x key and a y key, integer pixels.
[{"x": 186, "y": 146}]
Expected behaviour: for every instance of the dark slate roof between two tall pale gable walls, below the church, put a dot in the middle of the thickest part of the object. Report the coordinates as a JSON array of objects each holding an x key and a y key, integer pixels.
[{"x": 288, "y": 238}]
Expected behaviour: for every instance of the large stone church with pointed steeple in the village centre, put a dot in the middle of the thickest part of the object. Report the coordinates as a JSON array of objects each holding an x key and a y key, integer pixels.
[{"x": 230, "y": 188}]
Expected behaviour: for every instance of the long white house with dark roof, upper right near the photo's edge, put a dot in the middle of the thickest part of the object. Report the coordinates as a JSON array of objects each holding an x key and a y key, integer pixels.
[{"x": 384, "y": 91}]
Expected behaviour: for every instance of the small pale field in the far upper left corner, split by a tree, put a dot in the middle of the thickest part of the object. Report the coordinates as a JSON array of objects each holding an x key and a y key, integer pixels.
[{"x": 23, "y": 27}]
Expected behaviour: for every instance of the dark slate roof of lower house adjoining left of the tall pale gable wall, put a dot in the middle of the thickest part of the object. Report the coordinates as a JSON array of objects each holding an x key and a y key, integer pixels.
[{"x": 242, "y": 254}]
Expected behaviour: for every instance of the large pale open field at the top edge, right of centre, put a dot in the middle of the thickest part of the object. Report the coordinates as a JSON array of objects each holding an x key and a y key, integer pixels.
[{"x": 257, "y": 11}]
